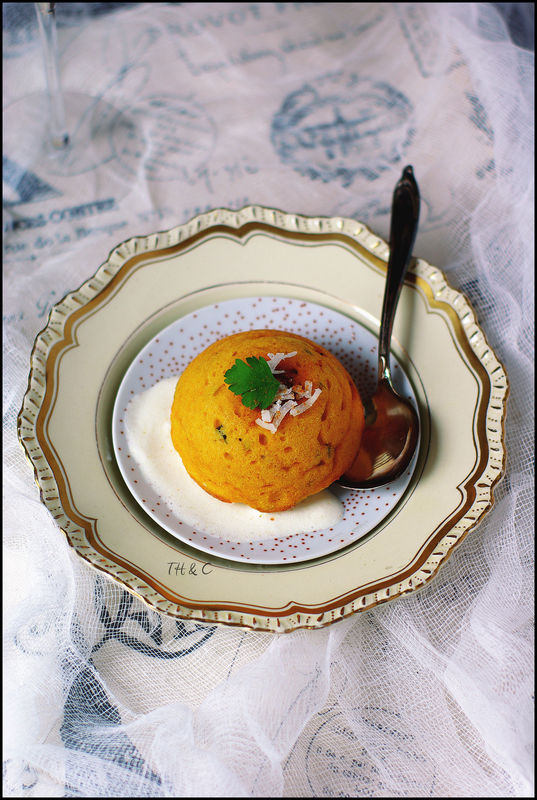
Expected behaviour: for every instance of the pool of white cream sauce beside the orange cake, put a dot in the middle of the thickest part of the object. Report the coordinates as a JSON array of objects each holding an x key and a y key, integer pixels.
[{"x": 148, "y": 431}]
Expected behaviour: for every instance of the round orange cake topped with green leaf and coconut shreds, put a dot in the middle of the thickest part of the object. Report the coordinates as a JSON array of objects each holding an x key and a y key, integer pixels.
[{"x": 269, "y": 457}]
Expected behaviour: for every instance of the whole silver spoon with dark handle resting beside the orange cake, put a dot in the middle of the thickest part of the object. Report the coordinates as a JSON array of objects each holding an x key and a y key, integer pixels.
[{"x": 391, "y": 423}]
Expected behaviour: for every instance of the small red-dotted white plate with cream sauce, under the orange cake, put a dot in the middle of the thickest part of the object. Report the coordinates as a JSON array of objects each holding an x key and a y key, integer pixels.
[{"x": 248, "y": 535}]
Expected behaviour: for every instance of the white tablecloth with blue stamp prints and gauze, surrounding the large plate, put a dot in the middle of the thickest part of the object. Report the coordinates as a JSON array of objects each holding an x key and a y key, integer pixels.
[{"x": 428, "y": 695}]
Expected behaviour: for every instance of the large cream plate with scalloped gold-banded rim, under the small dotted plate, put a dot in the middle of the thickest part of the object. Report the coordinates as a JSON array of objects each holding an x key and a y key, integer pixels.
[{"x": 93, "y": 335}]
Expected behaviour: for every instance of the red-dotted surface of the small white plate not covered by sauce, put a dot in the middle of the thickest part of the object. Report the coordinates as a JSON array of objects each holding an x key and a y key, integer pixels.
[{"x": 169, "y": 353}]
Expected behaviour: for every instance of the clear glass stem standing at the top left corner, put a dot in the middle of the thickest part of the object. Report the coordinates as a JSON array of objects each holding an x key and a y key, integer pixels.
[{"x": 46, "y": 20}]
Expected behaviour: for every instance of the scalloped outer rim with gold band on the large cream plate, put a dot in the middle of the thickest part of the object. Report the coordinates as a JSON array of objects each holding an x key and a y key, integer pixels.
[{"x": 82, "y": 532}]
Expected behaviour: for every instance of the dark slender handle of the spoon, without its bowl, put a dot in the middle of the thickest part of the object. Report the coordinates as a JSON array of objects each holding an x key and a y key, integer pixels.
[{"x": 404, "y": 225}]
